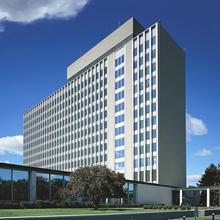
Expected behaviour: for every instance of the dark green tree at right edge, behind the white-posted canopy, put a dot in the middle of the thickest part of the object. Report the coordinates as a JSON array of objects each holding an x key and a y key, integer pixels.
[{"x": 211, "y": 177}]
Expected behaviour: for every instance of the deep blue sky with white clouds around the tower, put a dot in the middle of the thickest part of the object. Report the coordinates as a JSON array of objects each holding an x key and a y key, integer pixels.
[{"x": 38, "y": 40}]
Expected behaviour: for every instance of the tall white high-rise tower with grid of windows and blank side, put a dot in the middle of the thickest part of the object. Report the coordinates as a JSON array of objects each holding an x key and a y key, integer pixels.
[{"x": 123, "y": 106}]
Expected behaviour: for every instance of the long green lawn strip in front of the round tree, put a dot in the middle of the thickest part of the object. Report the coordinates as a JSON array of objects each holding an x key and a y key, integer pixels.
[{"x": 68, "y": 211}]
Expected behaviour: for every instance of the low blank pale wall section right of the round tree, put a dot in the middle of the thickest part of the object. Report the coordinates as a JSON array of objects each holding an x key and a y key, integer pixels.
[{"x": 152, "y": 194}]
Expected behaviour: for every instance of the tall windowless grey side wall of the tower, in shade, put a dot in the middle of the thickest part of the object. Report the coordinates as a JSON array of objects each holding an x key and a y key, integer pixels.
[{"x": 172, "y": 130}]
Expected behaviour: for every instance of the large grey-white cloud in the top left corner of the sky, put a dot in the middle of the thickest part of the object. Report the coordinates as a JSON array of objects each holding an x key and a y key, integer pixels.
[{"x": 27, "y": 11}]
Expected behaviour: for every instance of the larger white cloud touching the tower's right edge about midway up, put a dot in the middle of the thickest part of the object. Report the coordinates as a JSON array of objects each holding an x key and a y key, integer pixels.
[{"x": 194, "y": 127}]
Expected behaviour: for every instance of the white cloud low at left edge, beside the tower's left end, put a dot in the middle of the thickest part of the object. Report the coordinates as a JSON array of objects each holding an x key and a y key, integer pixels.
[{"x": 11, "y": 145}]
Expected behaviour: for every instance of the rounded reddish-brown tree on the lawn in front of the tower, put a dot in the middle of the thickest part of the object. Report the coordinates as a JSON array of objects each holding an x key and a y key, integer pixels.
[{"x": 96, "y": 183}]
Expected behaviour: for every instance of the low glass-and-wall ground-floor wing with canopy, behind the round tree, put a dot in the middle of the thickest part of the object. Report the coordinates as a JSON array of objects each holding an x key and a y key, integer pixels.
[{"x": 24, "y": 183}]
